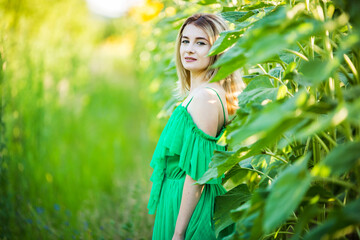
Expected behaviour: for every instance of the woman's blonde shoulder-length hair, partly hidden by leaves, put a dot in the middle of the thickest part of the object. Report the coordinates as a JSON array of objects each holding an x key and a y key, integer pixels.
[{"x": 212, "y": 25}]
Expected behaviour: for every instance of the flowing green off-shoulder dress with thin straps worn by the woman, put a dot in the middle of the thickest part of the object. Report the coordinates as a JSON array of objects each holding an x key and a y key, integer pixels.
[{"x": 183, "y": 149}]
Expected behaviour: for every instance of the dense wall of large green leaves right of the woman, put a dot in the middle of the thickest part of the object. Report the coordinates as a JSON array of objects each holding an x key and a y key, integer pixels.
[{"x": 300, "y": 110}]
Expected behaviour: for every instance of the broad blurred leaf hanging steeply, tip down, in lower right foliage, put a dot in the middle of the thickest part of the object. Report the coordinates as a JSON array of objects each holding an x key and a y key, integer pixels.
[{"x": 286, "y": 193}]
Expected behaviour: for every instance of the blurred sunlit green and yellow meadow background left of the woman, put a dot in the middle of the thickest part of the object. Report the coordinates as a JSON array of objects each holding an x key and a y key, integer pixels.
[{"x": 82, "y": 86}]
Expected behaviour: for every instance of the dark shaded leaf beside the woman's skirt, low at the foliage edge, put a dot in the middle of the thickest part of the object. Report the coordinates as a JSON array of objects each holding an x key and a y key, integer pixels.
[{"x": 225, "y": 203}]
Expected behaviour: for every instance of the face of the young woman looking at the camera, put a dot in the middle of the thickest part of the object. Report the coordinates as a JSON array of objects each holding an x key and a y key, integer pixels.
[{"x": 194, "y": 48}]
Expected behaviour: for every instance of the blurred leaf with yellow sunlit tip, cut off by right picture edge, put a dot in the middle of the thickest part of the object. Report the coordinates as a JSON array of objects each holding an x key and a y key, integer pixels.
[{"x": 340, "y": 160}]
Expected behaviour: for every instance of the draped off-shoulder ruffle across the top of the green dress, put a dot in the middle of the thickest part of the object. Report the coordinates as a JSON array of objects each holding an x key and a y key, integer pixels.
[{"x": 194, "y": 147}]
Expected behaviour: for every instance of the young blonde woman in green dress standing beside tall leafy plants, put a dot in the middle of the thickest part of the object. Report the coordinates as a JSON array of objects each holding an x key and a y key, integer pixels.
[{"x": 187, "y": 143}]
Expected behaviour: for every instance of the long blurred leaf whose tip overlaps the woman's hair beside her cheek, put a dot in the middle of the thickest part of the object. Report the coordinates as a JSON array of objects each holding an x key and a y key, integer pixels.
[{"x": 266, "y": 38}]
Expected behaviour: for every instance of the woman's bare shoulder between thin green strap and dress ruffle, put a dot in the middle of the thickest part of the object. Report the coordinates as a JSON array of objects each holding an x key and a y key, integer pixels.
[{"x": 204, "y": 111}]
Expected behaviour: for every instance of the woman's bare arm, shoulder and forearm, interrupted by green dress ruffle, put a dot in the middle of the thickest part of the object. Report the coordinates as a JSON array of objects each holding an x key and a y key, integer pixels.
[{"x": 204, "y": 113}]
